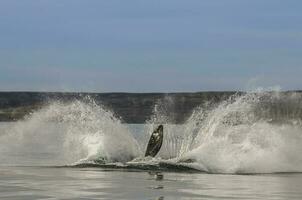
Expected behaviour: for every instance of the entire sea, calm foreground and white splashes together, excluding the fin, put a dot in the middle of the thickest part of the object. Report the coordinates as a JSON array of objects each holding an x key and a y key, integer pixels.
[{"x": 248, "y": 147}]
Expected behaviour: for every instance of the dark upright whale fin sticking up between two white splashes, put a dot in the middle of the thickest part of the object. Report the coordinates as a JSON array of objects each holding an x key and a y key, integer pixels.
[{"x": 155, "y": 141}]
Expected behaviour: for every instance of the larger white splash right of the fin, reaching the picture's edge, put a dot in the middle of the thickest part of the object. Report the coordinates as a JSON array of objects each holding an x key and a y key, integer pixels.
[{"x": 252, "y": 133}]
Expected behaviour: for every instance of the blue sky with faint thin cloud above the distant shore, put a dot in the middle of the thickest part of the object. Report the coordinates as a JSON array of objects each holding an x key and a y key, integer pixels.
[{"x": 150, "y": 45}]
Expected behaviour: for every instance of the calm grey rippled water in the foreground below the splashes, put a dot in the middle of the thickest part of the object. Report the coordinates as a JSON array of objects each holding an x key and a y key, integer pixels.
[{"x": 94, "y": 183}]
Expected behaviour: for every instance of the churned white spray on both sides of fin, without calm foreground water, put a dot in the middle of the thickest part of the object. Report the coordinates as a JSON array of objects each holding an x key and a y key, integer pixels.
[{"x": 258, "y": 132}]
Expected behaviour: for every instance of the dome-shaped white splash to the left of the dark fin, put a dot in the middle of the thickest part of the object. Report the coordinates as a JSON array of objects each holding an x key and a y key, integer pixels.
[{"x": 68, "y": 133}]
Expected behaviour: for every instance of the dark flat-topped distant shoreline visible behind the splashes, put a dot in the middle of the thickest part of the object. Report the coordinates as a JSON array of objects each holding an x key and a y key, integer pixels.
[{"x": 130, "y": 107}]
